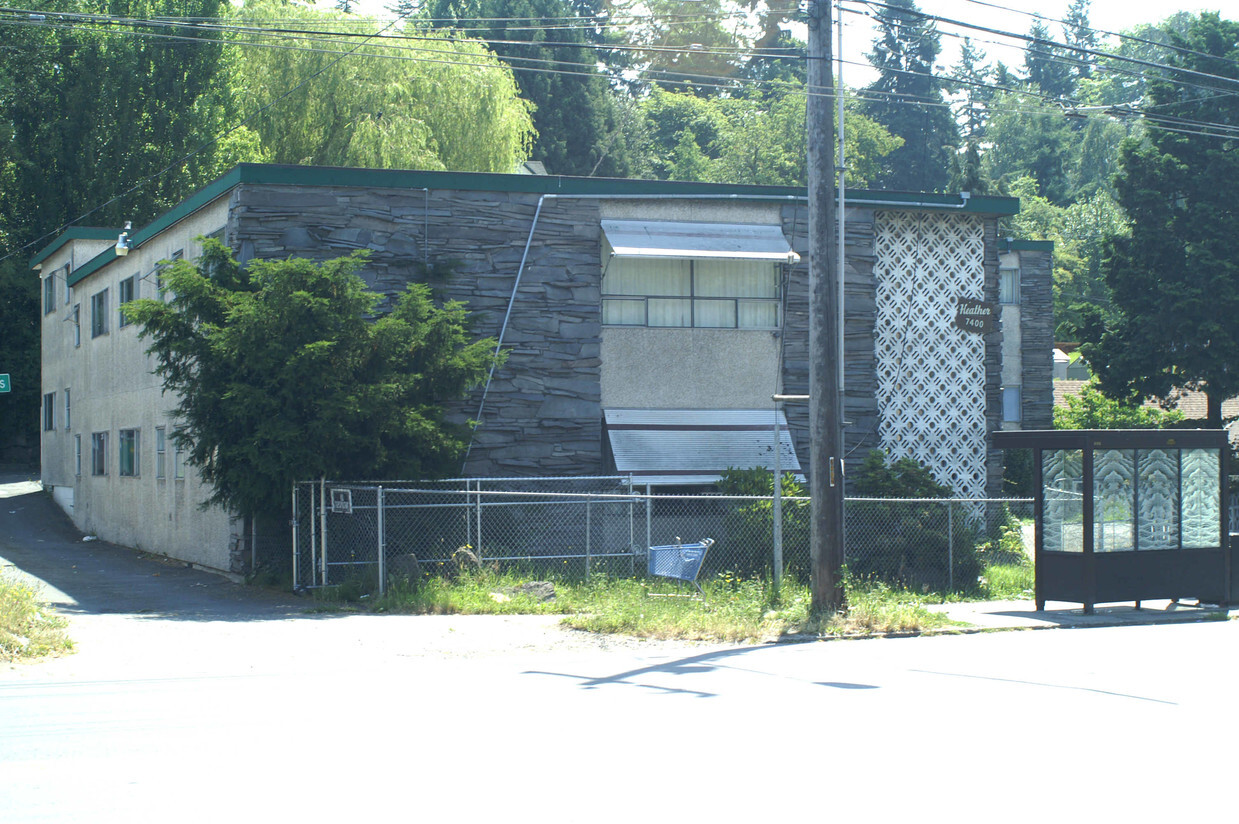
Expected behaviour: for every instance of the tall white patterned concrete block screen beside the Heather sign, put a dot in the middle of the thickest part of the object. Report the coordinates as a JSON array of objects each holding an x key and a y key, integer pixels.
[{"x": 931, "y": 376}]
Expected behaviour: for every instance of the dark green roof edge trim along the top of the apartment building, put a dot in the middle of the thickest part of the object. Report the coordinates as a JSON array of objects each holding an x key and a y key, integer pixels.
[{"x": 281, "y": 175}]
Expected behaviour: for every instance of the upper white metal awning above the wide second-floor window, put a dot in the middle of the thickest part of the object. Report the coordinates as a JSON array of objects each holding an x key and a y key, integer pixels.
[{"x": 683, "y": 240}]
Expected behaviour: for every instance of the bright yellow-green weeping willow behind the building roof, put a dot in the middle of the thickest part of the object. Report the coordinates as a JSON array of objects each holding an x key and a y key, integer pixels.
[{"x": 450, "y": 105}]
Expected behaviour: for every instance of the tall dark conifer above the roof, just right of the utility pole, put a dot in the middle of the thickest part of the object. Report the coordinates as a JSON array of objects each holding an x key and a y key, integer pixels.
[{"x": 909, "y": 100}]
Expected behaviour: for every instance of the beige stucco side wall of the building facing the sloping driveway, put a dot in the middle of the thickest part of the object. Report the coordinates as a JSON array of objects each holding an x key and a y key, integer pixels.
[{"x": 113, "y": 387}]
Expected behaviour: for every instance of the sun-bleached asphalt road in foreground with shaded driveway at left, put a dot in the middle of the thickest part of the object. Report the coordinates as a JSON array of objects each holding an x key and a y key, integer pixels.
[{"x": 191, "y": 703}]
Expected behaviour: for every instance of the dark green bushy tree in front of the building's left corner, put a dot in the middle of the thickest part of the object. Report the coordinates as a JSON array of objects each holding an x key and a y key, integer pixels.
[{"x": 241, "y": 346}]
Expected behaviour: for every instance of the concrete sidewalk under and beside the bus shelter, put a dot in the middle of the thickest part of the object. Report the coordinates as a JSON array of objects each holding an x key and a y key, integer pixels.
[{"x": 1023, "y": 615}]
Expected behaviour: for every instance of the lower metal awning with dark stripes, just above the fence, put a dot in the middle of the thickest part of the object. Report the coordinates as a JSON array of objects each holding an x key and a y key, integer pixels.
[{"x": 692, "y": 447}]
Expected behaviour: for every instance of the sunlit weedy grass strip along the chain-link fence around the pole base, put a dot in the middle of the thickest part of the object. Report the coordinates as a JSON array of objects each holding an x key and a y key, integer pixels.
[{"x": 734, "y": 609}]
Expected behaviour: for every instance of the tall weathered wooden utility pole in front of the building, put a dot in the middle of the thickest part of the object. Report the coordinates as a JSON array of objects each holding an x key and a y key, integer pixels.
[{"x": 826, "y": 406}]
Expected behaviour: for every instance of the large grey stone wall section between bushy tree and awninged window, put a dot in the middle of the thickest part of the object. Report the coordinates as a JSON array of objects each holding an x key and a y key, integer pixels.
[{"x": 543, "y": 413}]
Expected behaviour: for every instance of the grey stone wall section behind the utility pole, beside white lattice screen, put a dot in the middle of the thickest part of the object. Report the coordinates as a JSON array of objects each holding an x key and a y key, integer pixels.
[{"x": 860, "y": 370}]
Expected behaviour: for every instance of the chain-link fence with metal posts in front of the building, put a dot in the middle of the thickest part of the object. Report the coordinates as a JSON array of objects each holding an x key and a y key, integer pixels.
[{"x": 374, "y": 533}]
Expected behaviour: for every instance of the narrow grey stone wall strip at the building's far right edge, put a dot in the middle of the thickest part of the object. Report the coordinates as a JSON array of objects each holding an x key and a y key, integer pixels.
[{"x": 1038, "y": 340}]
